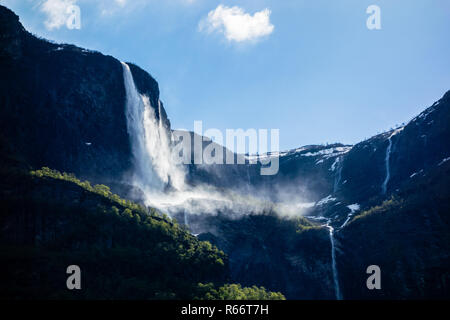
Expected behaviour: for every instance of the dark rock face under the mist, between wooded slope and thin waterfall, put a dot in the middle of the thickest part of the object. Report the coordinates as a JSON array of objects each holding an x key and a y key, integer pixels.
[{"x": 276, "y": 253}]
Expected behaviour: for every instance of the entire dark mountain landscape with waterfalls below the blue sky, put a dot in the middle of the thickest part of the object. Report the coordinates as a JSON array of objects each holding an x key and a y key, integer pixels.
[{"x": 309, "y": 232}]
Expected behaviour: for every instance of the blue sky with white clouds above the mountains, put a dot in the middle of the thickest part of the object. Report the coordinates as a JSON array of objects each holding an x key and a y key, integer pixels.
[{"x": 310, "y": 68}]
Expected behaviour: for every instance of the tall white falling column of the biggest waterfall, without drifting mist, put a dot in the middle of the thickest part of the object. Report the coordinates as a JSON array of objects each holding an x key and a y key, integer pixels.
[{"x": 154, "y": 165}]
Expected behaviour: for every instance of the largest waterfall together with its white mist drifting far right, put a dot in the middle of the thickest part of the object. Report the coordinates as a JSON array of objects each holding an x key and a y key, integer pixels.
[{"x": 160, "y": 175}]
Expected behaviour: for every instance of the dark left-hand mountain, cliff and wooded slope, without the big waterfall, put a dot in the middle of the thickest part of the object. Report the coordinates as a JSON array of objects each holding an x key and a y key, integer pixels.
[{"x": 62, "y": 106}]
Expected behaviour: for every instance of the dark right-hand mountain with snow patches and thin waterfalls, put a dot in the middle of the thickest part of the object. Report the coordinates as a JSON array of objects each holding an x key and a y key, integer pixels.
[{"x": 403, "y": 228}]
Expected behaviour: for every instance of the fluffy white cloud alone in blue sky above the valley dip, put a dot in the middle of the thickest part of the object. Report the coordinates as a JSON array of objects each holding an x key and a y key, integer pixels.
[{"x": 236, "y": 24}]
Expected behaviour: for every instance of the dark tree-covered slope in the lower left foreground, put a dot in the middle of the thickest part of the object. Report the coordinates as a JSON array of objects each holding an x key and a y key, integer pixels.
[{"x": 50, "y": 221}]
